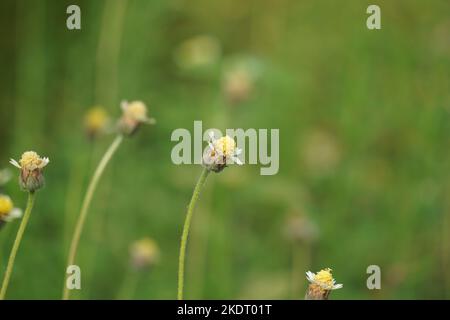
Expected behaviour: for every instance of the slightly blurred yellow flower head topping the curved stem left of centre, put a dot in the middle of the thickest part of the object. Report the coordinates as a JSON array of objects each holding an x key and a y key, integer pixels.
[{"x": 134, "y": 114}]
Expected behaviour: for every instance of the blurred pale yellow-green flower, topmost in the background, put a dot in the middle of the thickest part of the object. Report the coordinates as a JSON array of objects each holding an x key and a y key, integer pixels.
[{"x": 198, "y": 51}]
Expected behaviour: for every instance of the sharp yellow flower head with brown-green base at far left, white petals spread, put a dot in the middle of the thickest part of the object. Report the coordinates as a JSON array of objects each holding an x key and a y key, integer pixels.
[{"x": 31, "y": 166}]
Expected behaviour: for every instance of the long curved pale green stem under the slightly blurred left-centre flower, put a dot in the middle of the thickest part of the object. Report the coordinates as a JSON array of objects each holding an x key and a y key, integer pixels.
[{"x": 85, "y": 207}]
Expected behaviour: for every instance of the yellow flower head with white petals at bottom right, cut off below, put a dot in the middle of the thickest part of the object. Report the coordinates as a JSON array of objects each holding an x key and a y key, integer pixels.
[{"x": 322, "y": 283}]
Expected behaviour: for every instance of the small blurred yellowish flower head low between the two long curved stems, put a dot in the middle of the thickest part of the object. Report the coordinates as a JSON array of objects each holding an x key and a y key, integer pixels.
[{"x": 144, "y": 253}]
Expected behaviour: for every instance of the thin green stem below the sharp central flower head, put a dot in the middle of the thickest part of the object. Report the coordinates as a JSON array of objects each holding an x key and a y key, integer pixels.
[{"x": 201, "y": 181}]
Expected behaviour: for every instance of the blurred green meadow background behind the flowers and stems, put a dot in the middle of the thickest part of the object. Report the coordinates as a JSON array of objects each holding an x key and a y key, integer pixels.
[{"x": 364, "y": 145}]
